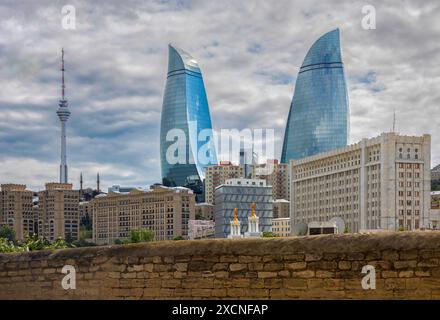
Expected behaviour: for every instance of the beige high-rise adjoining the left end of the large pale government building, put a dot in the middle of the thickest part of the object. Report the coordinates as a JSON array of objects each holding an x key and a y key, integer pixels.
[{"x": 276, "y": 175}]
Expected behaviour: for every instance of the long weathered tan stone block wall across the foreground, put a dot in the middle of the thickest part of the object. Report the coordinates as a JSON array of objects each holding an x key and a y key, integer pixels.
[{"x": 322, "y": 267}]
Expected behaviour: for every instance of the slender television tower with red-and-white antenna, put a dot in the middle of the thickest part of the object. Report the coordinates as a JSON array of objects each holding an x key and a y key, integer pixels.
[{"x": 63, "y": 114}]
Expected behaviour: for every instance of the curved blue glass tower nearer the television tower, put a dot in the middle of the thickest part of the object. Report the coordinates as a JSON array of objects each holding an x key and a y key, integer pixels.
[{"x": 185, "y": 110}]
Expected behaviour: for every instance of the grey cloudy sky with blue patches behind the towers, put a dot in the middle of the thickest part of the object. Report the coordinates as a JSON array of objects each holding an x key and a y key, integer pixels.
[{"x": 249, "y": 53}]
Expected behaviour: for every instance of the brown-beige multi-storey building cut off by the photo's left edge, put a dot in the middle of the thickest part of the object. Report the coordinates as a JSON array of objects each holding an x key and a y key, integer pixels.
[{"x": 16, "y": 209}]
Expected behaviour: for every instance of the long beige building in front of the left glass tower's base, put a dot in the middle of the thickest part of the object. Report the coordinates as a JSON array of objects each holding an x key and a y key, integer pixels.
[{"x": 164, "y": 210}]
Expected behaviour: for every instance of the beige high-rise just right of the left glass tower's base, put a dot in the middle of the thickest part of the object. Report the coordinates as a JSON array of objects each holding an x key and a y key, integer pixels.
[{"x": 217, "y": 175}]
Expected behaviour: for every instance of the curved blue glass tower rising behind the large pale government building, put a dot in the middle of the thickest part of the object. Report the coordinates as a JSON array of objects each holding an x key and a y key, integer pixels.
[{"x": 319, "y": 114}]
